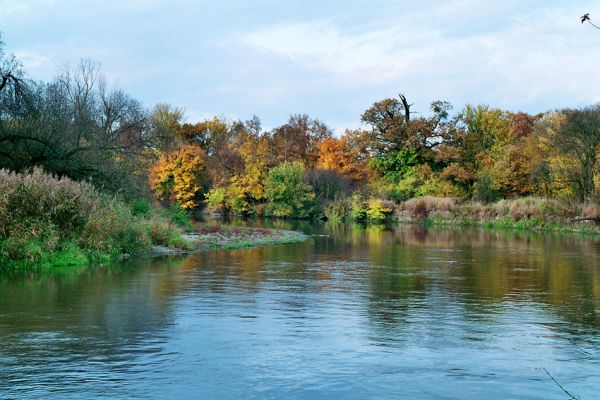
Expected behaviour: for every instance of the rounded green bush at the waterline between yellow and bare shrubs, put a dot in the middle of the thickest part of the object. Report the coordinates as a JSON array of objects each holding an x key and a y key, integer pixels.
[{"x": 287, "y": 192}]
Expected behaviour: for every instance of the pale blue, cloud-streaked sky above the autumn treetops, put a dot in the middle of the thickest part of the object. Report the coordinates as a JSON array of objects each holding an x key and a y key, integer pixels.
[{"x": 329, "y": 59}]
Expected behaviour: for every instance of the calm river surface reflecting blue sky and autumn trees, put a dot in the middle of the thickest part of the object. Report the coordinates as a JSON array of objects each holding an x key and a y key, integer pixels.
[{"x": 354, "y": 312}]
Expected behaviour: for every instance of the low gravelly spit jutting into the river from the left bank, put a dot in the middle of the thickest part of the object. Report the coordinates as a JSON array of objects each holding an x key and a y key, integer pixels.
[{"x": 227, "y": 237}]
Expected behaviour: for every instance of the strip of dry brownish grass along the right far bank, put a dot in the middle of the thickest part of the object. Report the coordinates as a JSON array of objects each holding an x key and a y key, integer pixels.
[{"x": 527, "y": 213}]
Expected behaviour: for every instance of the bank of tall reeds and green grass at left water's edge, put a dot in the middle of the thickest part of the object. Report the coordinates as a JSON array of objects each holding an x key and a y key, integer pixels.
[{"x": 48, "y": 221}]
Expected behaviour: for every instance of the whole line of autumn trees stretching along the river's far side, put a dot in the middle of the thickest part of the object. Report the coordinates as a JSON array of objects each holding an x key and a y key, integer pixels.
[{"x": 76, "y": 126}]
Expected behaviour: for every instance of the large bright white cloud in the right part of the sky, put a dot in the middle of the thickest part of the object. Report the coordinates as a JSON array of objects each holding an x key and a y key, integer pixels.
[{"x": 524, "y": 60}]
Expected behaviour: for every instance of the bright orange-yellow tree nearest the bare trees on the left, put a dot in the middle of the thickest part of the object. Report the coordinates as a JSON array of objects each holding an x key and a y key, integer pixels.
[{"x": 177, "y": 176}]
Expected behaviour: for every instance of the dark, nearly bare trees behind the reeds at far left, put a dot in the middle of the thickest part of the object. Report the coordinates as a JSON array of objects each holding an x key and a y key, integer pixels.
[{"x": 75, "y": 126}]
